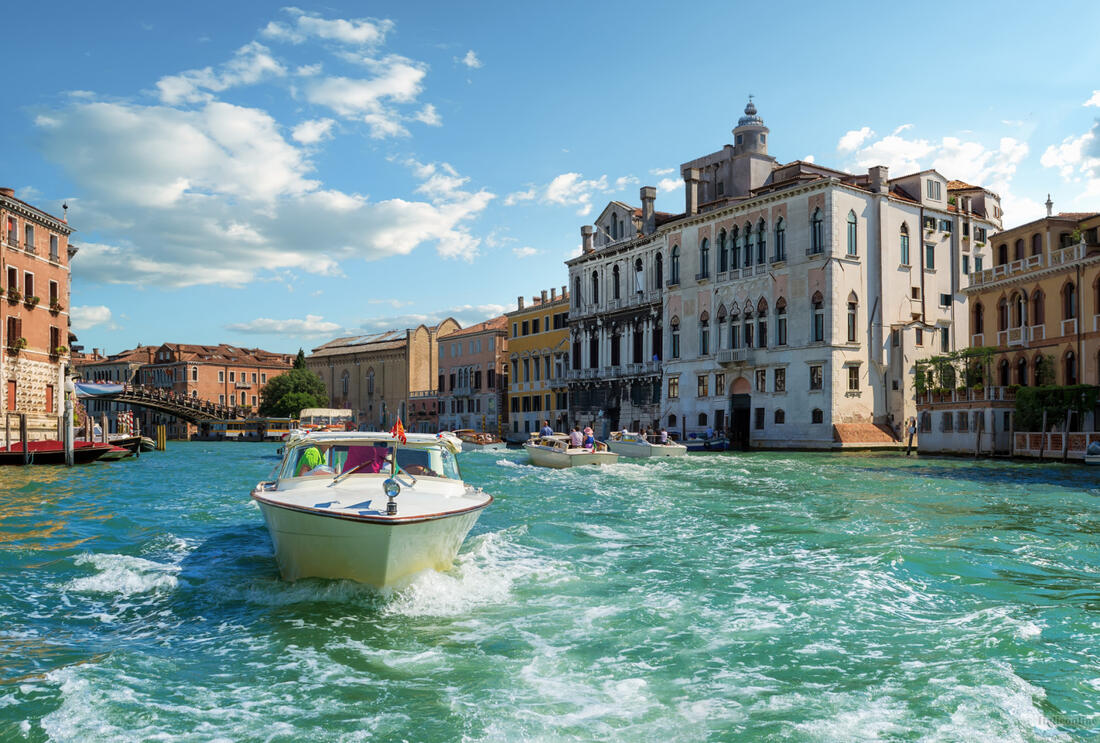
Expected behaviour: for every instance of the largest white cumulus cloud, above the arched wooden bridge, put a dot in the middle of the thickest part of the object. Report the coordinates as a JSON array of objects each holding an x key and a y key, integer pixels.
[{"x": 217, "y": 196}]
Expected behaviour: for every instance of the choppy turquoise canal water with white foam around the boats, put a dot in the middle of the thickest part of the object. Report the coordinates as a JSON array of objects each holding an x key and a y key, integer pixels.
[{"x": 772, "y": 597}]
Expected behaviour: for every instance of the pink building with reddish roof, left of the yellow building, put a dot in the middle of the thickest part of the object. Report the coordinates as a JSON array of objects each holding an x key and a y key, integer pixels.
[{"x": 471, "y": 377}]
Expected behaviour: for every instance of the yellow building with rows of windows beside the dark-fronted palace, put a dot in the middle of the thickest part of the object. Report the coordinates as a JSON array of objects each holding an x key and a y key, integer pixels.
[{"x": 538, "y": 362}]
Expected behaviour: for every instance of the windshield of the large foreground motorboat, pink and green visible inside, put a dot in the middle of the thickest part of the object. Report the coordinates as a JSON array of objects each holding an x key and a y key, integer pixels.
[{"x": 333, "y": 460}]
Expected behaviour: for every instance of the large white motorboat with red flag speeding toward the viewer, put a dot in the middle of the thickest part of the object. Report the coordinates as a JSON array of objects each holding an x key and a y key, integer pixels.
[{"x": 369, "y": 508}]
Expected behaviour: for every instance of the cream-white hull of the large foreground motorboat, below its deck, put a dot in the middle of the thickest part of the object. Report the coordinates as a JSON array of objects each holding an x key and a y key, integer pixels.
[{"x": 380, "y": 554}]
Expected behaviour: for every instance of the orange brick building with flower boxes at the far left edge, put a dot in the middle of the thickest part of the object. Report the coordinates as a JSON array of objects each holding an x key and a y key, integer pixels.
[{"x": 35, "y": 268}]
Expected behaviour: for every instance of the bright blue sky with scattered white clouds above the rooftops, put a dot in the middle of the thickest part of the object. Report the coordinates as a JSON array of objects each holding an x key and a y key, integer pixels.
[{"x": 277, "y": 177}]
